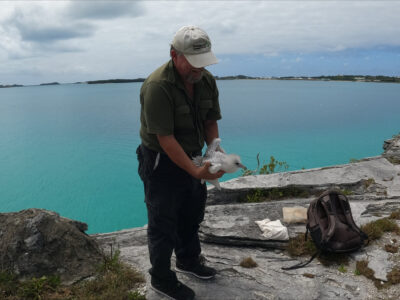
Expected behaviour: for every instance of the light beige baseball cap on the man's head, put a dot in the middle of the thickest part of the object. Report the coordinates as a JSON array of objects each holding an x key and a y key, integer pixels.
[{"x": 195, "y": 45}]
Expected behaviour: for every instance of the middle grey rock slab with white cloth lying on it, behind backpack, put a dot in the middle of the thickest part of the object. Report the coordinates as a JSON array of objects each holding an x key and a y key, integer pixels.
[{"x": 234, "y": 224}]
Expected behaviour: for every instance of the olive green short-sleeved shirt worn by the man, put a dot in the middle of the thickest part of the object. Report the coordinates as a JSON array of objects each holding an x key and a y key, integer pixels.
[{"x": 166, "y": 109}]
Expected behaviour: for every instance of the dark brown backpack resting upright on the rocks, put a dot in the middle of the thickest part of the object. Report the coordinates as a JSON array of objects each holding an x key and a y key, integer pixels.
[{"x": 331, "y": 226}]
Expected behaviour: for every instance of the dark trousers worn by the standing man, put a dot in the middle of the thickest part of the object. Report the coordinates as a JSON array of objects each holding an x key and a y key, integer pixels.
[{"x": 175, "y": 205}]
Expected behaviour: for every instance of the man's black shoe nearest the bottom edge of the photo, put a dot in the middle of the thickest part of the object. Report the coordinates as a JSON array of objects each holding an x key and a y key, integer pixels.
[{"x": 174, "y": 290}]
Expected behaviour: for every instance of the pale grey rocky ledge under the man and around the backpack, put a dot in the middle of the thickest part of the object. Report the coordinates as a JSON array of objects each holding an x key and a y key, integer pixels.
[{"x": 229, "y": 234}]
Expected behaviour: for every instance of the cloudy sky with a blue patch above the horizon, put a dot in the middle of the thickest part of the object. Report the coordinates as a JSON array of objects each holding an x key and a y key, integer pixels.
[{"x": 70, "y": 41}]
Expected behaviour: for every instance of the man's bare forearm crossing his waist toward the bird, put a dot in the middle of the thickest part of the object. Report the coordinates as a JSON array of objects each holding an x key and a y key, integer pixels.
[{"x": 179, "y": 157}]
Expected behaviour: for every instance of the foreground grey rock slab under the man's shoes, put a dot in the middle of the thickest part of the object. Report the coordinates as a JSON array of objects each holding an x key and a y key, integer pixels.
[{"x": 266, "y": 281}]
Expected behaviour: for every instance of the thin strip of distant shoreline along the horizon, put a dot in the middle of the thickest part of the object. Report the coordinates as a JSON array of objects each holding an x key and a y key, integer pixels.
[{"x": 351, "y": 78}]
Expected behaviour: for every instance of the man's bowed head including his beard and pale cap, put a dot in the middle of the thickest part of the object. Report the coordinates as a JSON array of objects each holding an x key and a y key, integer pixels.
[{"x": 191, "y": 52}]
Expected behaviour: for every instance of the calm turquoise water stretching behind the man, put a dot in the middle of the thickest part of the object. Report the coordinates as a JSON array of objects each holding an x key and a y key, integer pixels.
[{"x": 71, "y": 148}]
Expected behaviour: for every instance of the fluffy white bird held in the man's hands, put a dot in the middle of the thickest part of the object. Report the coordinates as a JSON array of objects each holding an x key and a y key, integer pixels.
[{"x": 229, "y": 163}]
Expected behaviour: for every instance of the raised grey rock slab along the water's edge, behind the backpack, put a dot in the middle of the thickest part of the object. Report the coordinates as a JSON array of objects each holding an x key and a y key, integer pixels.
[{"x": 385, "y": 175}]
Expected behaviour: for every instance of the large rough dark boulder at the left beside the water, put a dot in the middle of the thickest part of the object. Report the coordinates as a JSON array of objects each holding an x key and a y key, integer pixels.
[{"x": 37, "y": 242}]
